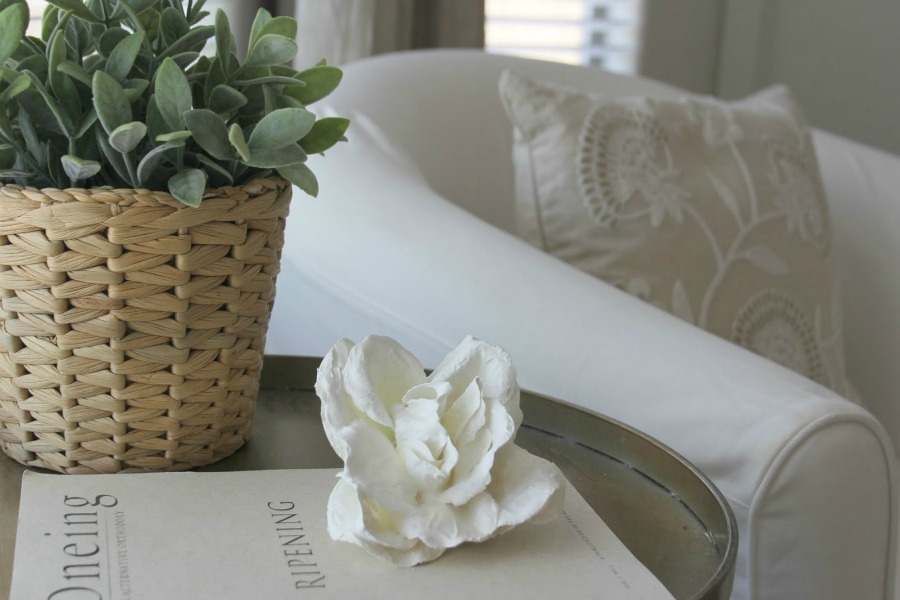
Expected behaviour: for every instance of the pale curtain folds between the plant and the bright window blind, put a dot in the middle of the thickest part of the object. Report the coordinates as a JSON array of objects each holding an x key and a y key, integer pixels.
[{"x": 341, "y": 31}]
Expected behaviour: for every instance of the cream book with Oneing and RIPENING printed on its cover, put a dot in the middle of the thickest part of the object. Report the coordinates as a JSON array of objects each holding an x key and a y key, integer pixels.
[{"x": 263, "y": 534}]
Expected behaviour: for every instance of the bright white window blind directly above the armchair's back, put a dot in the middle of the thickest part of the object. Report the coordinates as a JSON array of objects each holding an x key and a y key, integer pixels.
[{"x": 602, "y": 33}]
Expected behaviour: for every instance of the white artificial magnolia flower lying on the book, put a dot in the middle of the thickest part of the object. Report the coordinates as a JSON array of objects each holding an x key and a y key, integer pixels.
[{"x": 429, "y": 462}]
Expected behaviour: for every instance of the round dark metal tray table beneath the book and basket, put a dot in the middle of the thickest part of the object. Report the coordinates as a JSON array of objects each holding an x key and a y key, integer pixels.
[{"x": 664, "y": 510}]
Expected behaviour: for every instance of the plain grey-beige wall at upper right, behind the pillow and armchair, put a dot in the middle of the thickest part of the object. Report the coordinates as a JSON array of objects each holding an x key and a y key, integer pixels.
[{"x": 841, "y": 58}]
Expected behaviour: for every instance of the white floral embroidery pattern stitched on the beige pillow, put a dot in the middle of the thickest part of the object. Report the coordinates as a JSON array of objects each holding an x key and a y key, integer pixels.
[{"x": 623, "y": 153}]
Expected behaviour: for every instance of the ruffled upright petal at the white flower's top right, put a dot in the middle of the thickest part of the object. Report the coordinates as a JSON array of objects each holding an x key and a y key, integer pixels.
[{"x": 475, "y": 358}]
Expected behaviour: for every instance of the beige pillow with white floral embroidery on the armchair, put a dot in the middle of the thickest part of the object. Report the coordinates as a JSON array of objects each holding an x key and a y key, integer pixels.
[{"x": 710, "y": 210}]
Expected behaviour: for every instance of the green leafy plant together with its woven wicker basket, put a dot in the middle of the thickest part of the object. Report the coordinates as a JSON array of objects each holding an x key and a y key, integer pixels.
[{"x": 144, "y": 186}]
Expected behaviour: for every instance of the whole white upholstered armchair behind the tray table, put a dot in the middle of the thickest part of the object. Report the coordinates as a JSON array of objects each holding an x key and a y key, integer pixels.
[{"x": 410, "y": 237}]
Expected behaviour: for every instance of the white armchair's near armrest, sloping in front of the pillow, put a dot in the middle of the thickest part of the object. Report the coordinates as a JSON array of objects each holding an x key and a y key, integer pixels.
[{"x": 380, "y": 252}]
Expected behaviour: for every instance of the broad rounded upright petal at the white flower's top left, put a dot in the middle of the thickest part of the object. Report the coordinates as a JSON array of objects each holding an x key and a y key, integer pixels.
[{"x": 378, "y": 373}]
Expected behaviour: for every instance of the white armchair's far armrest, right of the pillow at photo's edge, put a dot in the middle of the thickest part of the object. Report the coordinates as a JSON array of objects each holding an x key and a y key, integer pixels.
[{"x": 863, "y": 188}]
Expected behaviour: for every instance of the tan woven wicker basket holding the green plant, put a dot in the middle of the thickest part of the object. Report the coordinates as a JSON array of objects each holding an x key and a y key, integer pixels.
[{"x": 132, "y": 327}]
